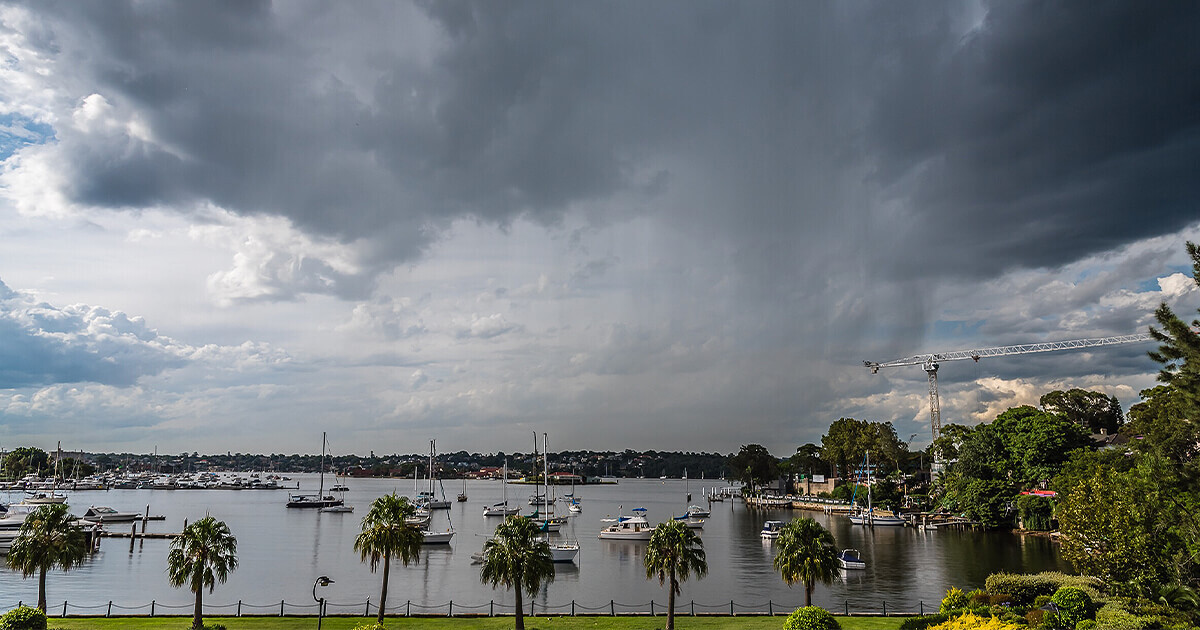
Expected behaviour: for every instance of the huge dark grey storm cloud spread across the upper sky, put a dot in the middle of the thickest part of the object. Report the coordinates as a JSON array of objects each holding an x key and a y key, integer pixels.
[{"x": 809, "y": 143}]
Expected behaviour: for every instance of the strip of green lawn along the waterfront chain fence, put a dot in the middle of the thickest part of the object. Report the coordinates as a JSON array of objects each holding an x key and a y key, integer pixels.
[{"x": 494, "y": 623}]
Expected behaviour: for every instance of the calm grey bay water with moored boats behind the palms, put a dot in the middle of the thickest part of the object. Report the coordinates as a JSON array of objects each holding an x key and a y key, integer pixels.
[{"x": 284, "y": 551}]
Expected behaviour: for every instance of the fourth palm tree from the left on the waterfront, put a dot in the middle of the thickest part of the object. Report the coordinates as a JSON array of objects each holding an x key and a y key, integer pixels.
[{"x": 518, "y": 559}]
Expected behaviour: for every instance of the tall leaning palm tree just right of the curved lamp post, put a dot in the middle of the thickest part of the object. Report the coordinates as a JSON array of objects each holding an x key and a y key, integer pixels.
[{"x": 387, "y": 536}]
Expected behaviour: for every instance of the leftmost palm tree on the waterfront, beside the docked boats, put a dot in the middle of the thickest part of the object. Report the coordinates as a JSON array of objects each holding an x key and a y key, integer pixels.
[{"x": 49, "y": 538}]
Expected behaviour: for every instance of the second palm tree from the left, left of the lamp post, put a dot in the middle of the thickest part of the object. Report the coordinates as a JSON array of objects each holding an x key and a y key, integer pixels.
[{"x": 202, "y": 557}]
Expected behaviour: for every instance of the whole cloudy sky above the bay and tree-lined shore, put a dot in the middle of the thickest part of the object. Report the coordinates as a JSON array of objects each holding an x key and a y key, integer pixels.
[{"x": 674, "y": 225}]
